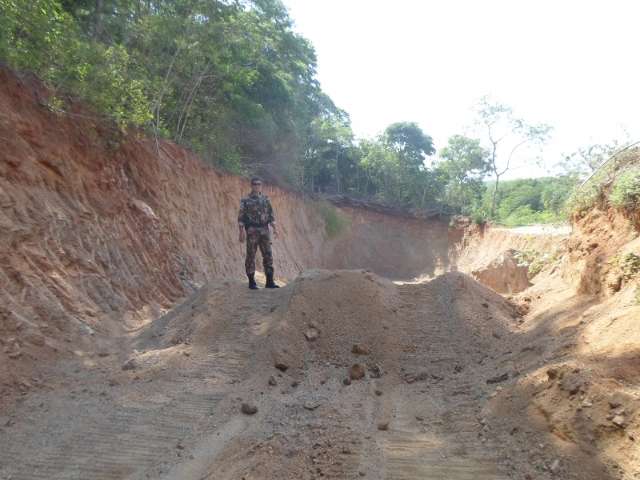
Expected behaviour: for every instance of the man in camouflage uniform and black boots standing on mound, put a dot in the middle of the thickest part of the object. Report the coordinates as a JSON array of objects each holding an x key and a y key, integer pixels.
[{"x": 256, "y": 214}]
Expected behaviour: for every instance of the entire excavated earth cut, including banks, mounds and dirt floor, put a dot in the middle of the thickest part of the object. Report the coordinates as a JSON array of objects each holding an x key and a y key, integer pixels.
[{"x": 132, "y": 349}]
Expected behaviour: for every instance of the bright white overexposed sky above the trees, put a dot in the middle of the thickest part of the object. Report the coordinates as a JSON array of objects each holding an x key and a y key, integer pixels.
[{"x": 572, "y": 64}]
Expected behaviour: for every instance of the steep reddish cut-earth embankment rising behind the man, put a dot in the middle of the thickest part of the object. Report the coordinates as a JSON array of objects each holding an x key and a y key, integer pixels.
[{"x": 101, "y": 234}]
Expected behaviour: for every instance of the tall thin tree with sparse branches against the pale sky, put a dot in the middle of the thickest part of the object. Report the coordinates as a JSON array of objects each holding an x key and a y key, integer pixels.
[{"x": 506, "y": 136}]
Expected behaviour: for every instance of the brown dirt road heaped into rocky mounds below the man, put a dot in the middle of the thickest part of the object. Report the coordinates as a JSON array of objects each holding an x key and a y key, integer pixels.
[{"x": 166, "y": 402}]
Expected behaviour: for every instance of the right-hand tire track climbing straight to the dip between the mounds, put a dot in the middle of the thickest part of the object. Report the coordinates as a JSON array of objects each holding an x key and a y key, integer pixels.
[{"x": 435, "y": 433}]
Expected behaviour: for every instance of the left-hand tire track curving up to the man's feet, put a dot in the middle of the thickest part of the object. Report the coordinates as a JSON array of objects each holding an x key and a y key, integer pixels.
[{"x": 138, "y": 430}]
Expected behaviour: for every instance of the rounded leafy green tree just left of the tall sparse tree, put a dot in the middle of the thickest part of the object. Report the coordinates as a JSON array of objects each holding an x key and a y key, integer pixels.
[{"x": 464, "y": 165}]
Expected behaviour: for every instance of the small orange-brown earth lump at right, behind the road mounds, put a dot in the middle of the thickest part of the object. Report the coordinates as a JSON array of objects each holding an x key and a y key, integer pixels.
[{"x": 504, "y": 274}]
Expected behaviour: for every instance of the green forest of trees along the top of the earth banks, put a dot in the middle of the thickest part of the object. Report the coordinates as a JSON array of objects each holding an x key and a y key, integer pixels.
[{"x": 233, "y": 81}]
